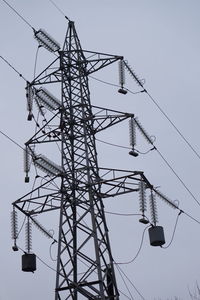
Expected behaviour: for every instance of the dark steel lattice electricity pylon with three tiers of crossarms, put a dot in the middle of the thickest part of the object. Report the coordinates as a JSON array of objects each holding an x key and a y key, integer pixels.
[{"x": 76, "y": 187}]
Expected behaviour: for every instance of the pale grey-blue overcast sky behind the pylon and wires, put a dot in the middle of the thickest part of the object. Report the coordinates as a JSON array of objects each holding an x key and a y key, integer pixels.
[{"x": 161, "y": 41}]
